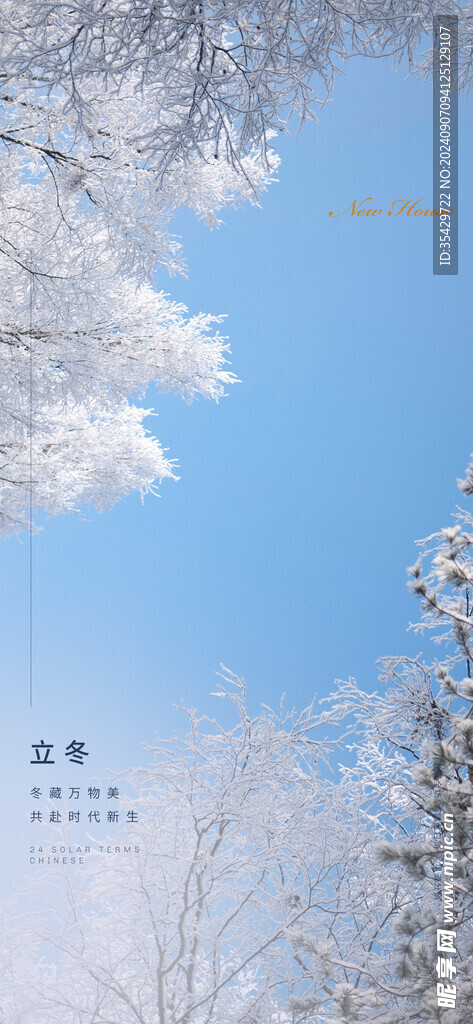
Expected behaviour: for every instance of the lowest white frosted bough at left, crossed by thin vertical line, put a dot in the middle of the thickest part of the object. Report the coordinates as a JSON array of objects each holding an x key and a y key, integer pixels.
[{"x": 78, "y": 459}]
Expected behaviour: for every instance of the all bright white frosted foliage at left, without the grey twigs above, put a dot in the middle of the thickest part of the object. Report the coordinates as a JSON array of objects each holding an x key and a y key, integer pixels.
[{"x": 84, "y": 229}]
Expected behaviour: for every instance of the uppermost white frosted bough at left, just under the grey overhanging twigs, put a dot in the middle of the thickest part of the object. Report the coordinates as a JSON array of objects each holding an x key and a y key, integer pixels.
[{"x": 90, "y": 193}]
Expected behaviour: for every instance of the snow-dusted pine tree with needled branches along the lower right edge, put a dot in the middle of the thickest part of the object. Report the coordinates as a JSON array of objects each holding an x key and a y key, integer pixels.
[{"x": 413, "y": 777}]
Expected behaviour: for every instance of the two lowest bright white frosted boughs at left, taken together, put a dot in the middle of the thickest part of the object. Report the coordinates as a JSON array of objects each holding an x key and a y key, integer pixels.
[{"x": 65, "y": 383}]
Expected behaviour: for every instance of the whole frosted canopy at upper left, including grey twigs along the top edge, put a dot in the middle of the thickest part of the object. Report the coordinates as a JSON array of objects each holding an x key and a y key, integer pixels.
[{"x": 113, "y": 117}]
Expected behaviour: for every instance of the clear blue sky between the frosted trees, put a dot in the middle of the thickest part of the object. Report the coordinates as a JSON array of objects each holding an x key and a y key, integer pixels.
[{"x": 282, "y": 551}]
